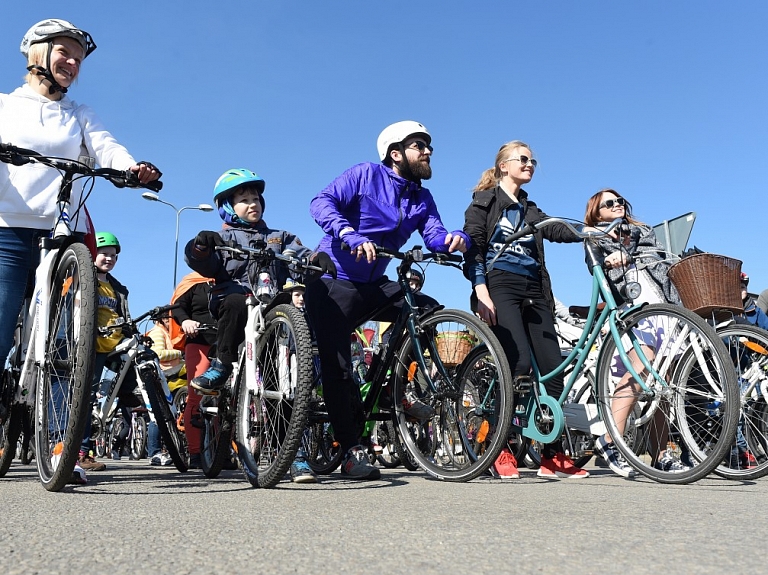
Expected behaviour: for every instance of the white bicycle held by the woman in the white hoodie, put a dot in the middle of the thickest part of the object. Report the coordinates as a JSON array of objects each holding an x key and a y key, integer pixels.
[{"x": 51, "y": 364}]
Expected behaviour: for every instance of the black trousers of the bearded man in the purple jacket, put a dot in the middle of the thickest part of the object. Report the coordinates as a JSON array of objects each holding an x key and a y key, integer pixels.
[{"x": 336, "y": 308}]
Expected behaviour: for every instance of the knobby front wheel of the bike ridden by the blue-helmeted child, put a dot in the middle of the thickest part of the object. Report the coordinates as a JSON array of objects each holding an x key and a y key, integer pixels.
[{"x": 270, "y": 419}]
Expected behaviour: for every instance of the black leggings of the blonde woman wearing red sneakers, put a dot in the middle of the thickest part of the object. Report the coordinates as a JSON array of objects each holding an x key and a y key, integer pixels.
[{"x": 523, "y": 315}]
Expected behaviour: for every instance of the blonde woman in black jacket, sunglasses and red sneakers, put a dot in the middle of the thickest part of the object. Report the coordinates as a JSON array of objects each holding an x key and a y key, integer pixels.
[{"x": 515, "y": 298}]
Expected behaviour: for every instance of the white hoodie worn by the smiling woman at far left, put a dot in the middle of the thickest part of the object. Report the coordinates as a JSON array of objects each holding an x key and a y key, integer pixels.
[{"x": 53, "y": 128}]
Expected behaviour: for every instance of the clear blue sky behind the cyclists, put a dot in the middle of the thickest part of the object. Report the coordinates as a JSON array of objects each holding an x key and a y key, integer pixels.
[{"x": 663, "y": 101}]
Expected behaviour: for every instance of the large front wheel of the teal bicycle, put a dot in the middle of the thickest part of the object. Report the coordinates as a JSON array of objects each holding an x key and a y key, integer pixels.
[{"x": 698, "y": 370}]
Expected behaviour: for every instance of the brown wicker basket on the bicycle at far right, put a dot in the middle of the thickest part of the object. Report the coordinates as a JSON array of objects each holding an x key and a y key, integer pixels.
[{"x": 708, "y": 283}]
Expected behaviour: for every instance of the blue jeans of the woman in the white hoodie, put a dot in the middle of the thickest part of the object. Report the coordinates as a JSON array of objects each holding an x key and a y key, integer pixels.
[{"x": 19, "y": 256}]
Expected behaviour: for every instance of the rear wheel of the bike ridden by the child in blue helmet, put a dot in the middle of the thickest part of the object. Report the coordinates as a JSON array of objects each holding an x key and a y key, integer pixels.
[{"x": 215, "y": 434}]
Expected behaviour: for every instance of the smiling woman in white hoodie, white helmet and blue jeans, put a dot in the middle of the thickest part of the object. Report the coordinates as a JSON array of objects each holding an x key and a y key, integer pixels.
[{"x": 41, "y": 117}]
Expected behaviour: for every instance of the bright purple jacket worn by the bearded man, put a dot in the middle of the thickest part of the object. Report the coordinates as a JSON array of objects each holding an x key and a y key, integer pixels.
[{"x": 381, "y": 207}]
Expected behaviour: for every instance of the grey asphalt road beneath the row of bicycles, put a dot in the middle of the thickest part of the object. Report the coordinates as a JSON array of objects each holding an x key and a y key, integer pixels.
[{"x": 133, "y": 518}]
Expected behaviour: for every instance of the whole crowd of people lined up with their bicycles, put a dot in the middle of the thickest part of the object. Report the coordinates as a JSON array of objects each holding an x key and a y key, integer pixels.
[{"x": 371, "y": 204}]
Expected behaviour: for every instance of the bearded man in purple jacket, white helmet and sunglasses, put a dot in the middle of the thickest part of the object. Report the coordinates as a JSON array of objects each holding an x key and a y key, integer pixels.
[{"x": 369, "y": 204}]
